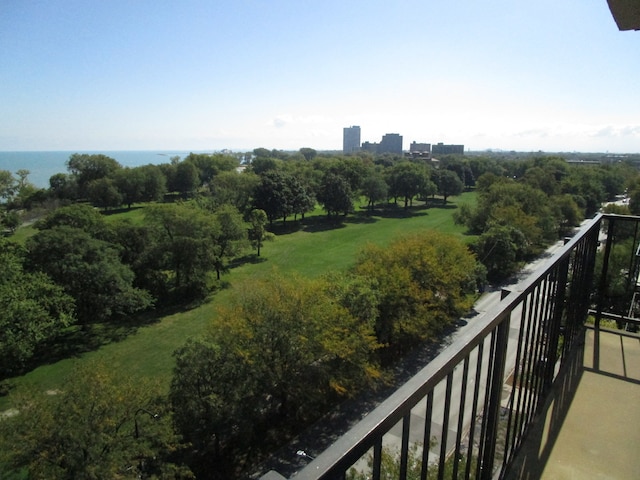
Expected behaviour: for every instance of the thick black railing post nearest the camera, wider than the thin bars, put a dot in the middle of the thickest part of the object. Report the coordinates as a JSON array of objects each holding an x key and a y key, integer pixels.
[{"x": 492, "y": 412}]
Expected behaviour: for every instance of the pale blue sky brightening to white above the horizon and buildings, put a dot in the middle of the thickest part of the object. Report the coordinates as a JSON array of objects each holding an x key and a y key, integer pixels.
[{"x": 549, "y": 75}]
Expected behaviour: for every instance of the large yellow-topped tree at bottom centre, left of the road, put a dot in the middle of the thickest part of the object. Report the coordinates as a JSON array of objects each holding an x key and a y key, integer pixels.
[{"x": 274, "y": 358}]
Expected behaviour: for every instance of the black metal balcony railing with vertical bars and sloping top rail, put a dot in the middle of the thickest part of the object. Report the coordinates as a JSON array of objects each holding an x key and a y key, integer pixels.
[{"x": 467, "y": 412}]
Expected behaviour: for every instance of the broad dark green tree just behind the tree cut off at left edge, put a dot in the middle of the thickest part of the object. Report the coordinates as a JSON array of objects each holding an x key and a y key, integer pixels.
[{"x": 90, "y": 270}]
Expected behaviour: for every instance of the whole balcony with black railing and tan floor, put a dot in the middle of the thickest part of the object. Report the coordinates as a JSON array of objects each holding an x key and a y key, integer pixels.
[{"x": 529, "y": 389}]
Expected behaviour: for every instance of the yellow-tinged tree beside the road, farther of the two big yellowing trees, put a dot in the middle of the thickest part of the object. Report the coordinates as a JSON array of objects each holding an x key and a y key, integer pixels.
[{"x": 423, "y": 281}]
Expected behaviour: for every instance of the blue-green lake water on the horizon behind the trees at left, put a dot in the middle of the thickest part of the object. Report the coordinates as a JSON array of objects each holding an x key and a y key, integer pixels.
[{"x": 43, "y": 165}]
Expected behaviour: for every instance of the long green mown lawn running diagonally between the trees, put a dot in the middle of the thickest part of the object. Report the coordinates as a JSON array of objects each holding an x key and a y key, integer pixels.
[{"x": 310, "y": 248}]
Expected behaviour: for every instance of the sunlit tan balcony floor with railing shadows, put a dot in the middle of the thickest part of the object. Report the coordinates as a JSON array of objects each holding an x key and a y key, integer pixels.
[{"x": 591, "y": 425}]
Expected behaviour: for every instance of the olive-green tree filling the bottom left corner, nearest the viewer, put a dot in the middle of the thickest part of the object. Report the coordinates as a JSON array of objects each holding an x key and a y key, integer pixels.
[{"x": 98, "y": 426}]
